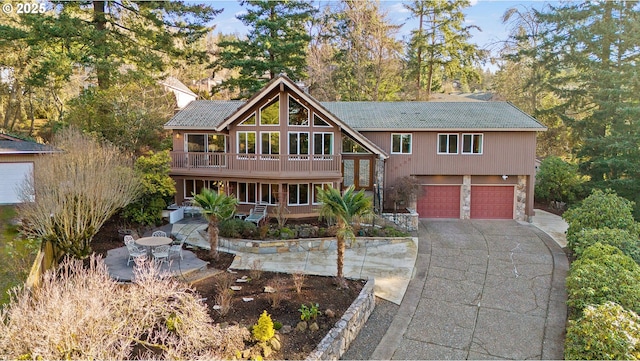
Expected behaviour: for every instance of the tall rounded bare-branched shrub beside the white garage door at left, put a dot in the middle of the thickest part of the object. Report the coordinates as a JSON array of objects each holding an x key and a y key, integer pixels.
[{"x": 76, "y": 190}]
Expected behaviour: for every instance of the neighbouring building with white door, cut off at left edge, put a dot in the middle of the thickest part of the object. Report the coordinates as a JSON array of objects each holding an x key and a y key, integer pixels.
[{"x": 16, "y": 165}]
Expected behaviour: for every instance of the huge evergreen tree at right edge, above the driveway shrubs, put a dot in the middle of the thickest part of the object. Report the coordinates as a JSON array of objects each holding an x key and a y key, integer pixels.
[{"x": 591, "y": 49}]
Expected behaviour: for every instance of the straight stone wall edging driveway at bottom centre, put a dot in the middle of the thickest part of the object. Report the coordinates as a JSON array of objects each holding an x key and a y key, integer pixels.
[{"x": 337, "y": 341}]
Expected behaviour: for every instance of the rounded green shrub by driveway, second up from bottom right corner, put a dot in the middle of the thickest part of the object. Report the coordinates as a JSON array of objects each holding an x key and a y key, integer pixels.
[{"x": 603, "y": 274}]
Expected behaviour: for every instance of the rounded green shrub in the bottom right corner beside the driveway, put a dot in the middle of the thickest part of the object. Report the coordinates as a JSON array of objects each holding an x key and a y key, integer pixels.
[{"x": 605, "y": 332}]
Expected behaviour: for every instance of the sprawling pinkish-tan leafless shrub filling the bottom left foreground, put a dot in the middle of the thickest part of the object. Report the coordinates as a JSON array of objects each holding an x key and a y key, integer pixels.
[{"x": 81, "y": 313}]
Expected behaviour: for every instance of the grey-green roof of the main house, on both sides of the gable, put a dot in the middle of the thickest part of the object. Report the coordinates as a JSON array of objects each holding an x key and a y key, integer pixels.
[{"x": 383, "y": 116}]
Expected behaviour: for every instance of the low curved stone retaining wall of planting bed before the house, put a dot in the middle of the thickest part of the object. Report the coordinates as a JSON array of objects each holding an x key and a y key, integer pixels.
[{"x": 302, "y": 245}]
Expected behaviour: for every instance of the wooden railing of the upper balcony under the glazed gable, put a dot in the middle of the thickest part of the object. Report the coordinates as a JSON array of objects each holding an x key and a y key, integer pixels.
[{"x": 256, "y": 163}]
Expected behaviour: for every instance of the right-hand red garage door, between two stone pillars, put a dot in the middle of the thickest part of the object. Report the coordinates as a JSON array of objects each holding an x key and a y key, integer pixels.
[{"x": 491, "y": 202}]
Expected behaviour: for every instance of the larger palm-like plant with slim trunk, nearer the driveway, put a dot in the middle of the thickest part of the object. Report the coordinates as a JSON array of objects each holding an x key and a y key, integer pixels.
[{"x": 343, "y": 209}]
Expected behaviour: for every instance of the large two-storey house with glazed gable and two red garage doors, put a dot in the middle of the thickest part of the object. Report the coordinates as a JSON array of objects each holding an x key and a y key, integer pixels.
[{"x": 473, "y": 159}]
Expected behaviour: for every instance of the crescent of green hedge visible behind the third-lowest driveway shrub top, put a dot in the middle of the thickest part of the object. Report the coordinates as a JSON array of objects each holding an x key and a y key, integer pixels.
[{"x": 620, "y": 238}]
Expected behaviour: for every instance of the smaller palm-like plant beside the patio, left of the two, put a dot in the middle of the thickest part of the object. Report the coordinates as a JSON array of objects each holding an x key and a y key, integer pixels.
[{"x": 215, "y": 207}]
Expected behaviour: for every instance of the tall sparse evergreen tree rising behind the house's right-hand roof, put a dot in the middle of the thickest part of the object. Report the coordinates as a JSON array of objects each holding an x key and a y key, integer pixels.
[{"x": 440, "y": 46}]
